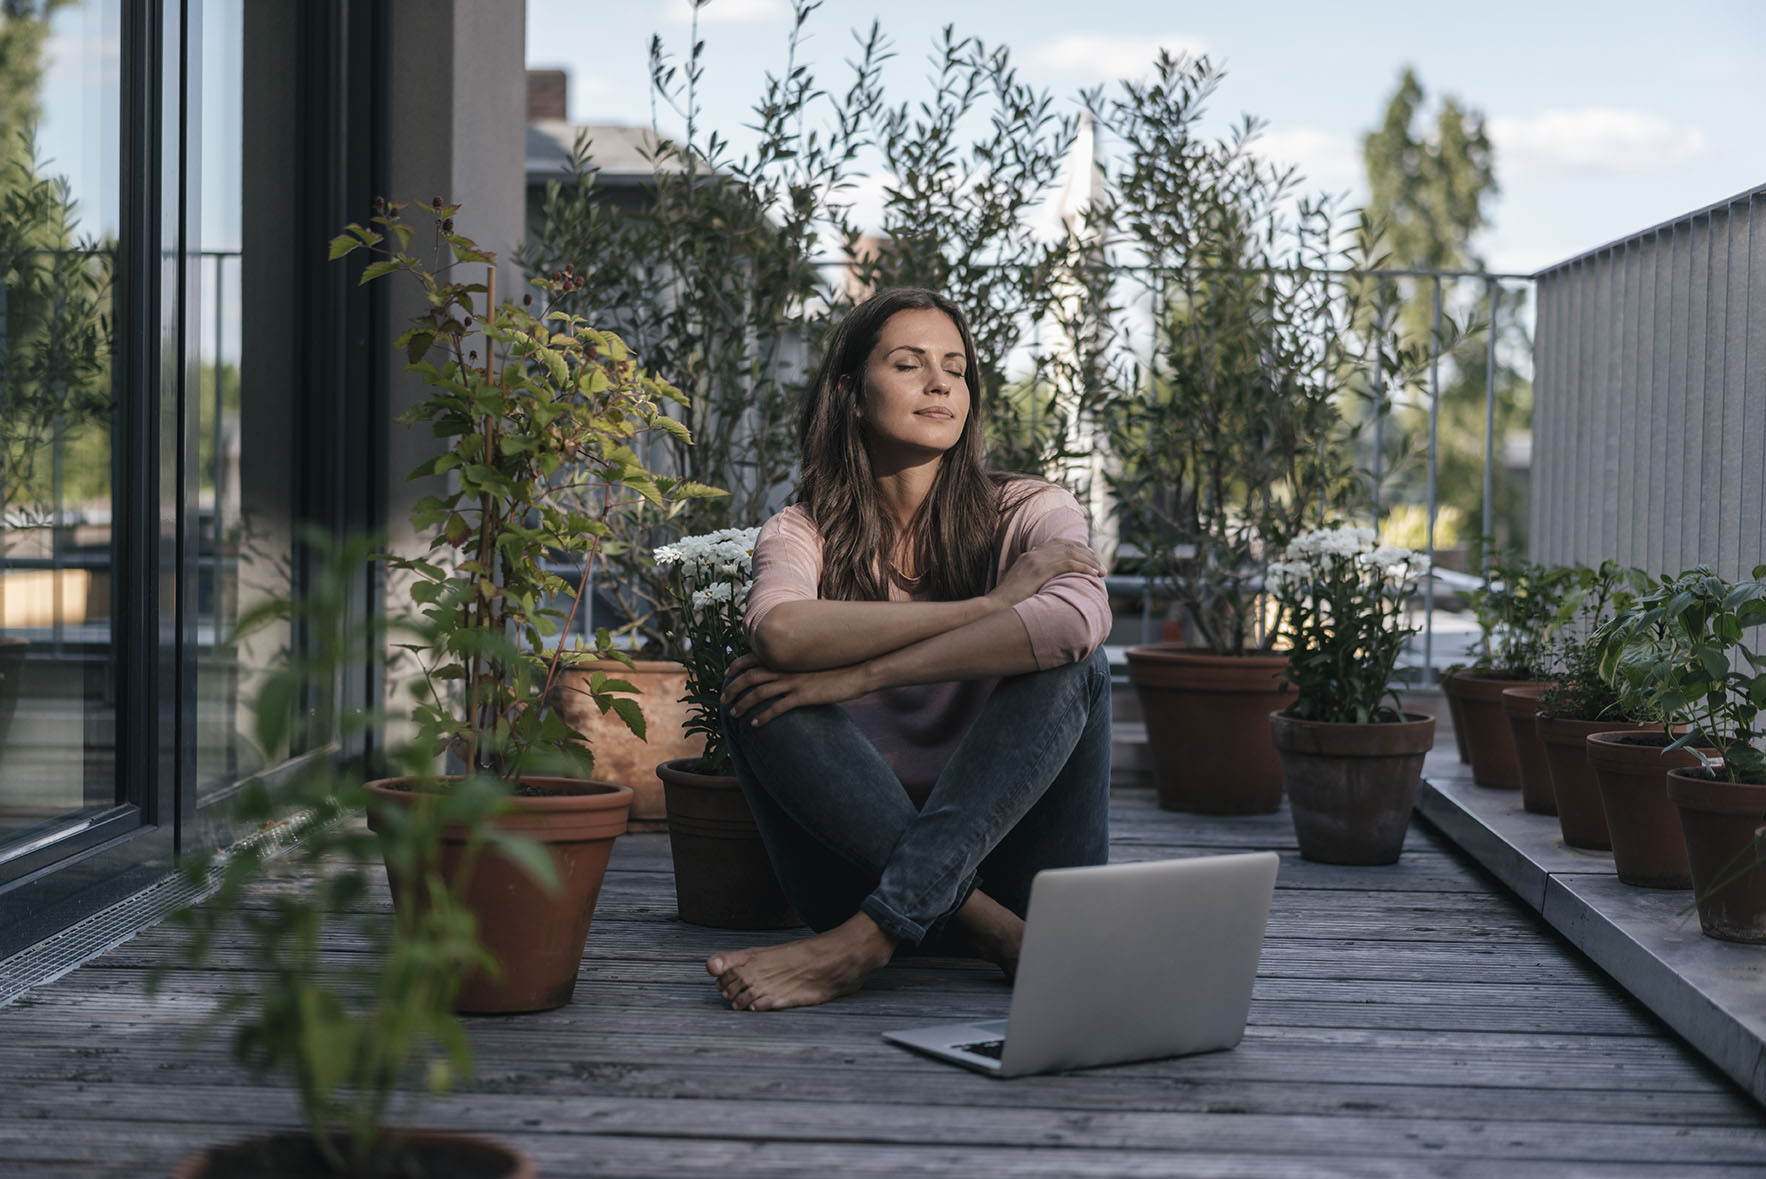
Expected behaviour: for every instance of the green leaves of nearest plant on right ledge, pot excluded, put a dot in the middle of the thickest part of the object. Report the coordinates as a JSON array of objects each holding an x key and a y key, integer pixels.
[{"x": 1682, "y": 652}]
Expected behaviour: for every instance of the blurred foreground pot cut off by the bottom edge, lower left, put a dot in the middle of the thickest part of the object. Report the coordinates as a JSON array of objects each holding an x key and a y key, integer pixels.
[{"x": 419, "y": 1152}]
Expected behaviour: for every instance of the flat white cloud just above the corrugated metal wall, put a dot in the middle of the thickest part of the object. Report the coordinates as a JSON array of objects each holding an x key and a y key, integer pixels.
[{"x": 1596, "y": 140}]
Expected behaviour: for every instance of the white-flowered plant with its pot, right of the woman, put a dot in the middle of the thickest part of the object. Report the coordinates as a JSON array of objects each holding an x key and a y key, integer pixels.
[{"x": 1350, "y": 760}]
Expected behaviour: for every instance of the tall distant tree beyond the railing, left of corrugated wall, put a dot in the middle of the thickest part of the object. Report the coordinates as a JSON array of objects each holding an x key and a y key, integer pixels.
[{"x": 1430, "y": 193}]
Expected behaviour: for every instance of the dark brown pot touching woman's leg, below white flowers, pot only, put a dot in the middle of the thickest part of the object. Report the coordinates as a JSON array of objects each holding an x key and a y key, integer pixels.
[{"x": 723, "y": 876}]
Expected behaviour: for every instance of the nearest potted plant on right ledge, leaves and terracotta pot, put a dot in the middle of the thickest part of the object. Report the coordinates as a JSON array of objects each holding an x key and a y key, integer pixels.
[{"x": 1682, "y": 647}]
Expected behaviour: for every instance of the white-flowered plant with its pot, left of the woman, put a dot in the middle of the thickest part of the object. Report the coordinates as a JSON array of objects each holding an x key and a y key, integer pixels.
[{"x": 723, "y": 876}]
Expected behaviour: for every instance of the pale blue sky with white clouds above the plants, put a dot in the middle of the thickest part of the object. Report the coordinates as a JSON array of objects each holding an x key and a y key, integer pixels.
[{"x": 1606, "y": 117}]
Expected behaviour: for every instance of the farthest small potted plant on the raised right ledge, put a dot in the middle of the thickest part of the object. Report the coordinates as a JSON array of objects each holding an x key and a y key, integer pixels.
[{"x": 1518, "y": 608}]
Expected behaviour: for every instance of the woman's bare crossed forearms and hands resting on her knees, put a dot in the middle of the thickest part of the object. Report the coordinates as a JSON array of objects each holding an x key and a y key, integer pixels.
[{"x": 813, "y": 652}]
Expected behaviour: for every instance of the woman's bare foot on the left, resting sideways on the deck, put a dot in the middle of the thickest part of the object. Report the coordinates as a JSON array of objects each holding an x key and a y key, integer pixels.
[{"x": 803, "y": 973}]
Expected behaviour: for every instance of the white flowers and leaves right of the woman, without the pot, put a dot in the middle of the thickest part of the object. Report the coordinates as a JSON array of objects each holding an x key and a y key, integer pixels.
[{"x": 1347, "y": 622}]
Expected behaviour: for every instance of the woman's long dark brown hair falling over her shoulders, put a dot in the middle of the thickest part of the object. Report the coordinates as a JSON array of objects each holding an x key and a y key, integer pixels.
[{"x": 955, "y": 530}]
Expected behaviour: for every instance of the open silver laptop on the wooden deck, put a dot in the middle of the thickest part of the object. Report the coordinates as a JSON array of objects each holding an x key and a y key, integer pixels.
[{"x": 1124, "y": 963}]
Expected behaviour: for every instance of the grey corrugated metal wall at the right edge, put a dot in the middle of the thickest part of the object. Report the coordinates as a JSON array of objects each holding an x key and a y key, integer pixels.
[{"x": 1650, "y": 398}]
